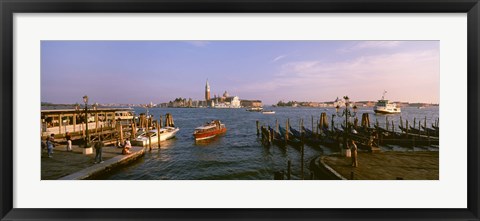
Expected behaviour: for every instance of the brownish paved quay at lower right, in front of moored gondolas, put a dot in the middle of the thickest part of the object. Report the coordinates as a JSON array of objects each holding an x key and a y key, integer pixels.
[{"x": 421, "y": 165}]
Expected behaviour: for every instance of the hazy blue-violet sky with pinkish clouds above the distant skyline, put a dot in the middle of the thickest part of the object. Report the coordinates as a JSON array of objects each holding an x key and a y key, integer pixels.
[{"x": 140, "y": 72}]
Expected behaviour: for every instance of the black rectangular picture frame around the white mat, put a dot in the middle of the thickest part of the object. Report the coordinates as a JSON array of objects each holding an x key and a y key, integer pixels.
[{"x": 9, "y": 7}]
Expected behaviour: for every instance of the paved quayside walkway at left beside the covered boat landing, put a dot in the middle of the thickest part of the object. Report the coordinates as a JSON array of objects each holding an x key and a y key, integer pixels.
[{"x": 76, "y": 166}]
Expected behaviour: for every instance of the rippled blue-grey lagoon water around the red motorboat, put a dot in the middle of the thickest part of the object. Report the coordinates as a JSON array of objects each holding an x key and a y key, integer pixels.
[{"x": 238, "y": 154}]
